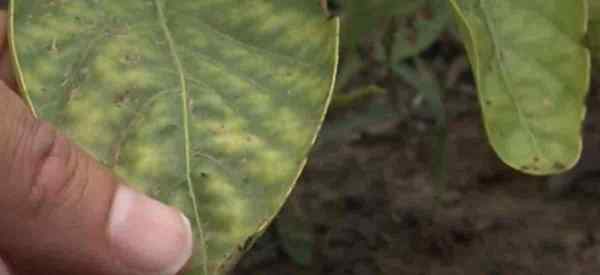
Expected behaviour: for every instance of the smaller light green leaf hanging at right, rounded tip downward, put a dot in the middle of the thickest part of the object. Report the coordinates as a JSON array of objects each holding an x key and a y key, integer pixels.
[{"x": 533, "y": 74}]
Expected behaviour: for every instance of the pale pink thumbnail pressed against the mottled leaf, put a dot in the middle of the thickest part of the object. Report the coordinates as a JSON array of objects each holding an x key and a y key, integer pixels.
[{"x": 147, "y": 235}]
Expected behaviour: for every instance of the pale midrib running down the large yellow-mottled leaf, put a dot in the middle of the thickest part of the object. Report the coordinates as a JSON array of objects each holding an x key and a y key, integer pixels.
[{"x": 186, "y": 126}]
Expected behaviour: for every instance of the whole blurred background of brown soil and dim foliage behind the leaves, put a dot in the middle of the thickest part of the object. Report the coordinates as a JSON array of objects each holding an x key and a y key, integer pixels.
[{"x": 402, "y": 179}]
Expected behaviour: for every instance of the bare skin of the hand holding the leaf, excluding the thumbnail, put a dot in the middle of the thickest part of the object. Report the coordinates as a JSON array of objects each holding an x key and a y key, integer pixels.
[{"x": 55, "y": 200}]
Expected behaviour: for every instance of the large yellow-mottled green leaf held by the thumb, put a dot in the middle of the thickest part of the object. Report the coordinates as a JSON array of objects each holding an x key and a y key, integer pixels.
[{"x": 210, "y": 106}]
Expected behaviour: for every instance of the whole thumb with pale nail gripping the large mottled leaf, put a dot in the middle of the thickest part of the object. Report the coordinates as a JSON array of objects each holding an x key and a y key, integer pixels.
[{"x": 63, "y": 213}]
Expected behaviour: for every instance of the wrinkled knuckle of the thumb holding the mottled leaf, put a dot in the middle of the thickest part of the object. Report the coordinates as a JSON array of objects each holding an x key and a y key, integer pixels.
[{"x": 57, "y": 170}]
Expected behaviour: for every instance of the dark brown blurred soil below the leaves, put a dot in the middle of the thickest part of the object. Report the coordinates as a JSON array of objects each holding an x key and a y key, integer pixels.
[{"x": 366, "y": 202}]
